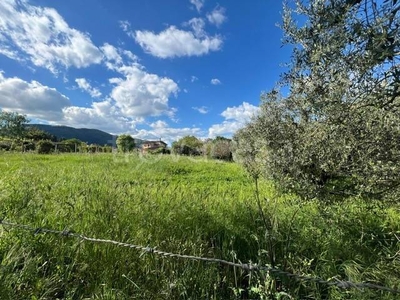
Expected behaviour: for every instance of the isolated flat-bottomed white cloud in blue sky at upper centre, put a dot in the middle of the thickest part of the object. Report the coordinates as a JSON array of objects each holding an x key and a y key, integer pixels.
[{"x": 174, "y": 42}]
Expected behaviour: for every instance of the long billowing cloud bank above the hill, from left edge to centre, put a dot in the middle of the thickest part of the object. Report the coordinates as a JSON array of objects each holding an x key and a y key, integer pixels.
[{"x": 136, "y": 94}]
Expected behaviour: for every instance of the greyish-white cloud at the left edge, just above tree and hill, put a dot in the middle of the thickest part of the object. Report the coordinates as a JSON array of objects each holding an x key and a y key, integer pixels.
[{"x": 31, "y": 98}]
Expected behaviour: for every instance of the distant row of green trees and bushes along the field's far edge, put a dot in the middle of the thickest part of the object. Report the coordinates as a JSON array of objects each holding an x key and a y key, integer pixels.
[{"x": 15, "y": 135}]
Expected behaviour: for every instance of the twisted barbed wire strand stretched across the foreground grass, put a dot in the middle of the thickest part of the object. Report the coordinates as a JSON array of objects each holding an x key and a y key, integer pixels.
[{"x": 343, "y": 284}]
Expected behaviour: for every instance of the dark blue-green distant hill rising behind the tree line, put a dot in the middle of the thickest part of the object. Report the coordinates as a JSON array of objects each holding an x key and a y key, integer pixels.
[{"x": 90, "y": 136}]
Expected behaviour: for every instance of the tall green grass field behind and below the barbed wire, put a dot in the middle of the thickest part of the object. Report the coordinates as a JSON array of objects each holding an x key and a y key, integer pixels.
[{"x": 186, "y": 206}]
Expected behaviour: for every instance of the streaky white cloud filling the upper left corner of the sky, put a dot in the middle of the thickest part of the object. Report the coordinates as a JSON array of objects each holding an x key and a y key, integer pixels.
[{"x": 41, "y": 35}]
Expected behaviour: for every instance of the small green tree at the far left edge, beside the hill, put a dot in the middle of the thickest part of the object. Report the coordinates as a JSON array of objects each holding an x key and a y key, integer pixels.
[{"x": 12, "y": 125}]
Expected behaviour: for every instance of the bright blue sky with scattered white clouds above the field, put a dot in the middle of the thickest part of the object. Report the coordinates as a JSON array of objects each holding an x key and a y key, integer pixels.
[{"x": 149, "y": 68}]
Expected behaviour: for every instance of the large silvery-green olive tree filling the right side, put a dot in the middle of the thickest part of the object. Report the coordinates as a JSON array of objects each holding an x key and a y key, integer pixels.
[{"x": 333, "y": 122}]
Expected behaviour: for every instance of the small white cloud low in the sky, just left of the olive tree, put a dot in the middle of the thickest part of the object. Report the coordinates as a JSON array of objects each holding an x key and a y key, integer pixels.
[{"x": 236, "y": 117}]
